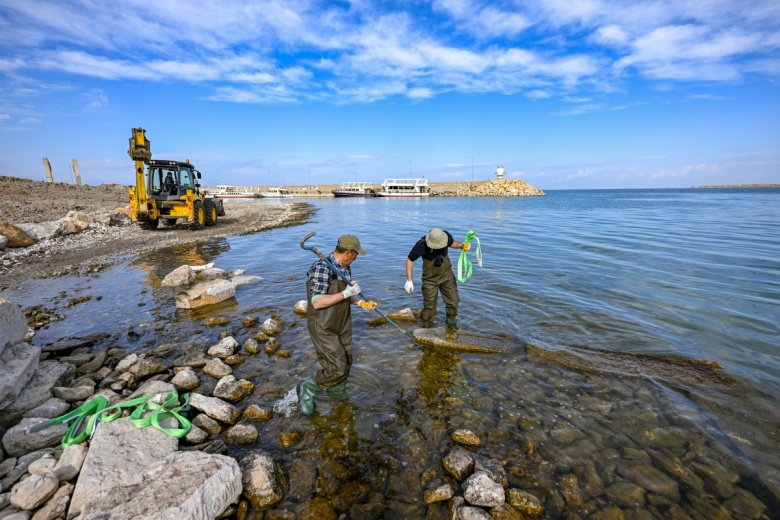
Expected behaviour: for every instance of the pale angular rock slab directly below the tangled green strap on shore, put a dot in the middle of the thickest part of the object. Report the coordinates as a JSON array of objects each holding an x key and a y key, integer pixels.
[{"x": 118, "y": 455}]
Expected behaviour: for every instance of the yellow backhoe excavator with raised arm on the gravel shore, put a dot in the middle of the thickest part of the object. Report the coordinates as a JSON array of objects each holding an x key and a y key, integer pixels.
[{"x": 168, "y": 191}]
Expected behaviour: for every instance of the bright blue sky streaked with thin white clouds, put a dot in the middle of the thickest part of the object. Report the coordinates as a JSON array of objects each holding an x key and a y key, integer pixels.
[{"x": 564, "y": 94}]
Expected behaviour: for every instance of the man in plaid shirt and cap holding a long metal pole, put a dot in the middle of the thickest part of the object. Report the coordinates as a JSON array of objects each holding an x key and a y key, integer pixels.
[{"x": 329, "y": 319}]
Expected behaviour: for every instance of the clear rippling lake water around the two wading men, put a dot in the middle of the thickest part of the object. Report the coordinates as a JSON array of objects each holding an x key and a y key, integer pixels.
[{"x": 603, "y": 296}]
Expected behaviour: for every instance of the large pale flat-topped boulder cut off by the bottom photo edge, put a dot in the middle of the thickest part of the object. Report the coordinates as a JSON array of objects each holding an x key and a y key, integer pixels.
[{"x": 189, "y": 484}]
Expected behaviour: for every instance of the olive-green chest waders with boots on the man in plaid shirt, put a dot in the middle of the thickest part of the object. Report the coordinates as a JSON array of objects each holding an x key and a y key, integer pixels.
[{"x": 331, "y": 332}]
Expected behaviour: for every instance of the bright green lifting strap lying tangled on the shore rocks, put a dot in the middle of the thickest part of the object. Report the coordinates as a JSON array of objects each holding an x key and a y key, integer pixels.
[{"x": 98, "y": 409}]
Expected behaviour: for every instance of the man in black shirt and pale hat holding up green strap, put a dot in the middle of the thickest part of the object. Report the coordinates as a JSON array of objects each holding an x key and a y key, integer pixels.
[{"x": 437, "y": 275}]
